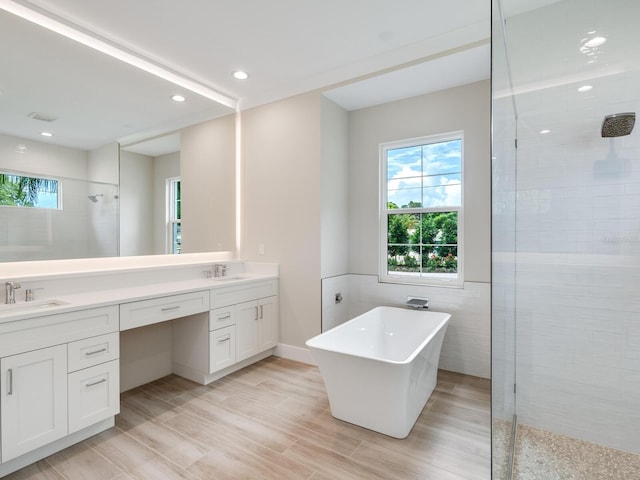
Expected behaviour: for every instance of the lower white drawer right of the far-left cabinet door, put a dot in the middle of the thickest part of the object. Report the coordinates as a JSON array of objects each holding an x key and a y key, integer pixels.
[{"x": 94, "y": 395}]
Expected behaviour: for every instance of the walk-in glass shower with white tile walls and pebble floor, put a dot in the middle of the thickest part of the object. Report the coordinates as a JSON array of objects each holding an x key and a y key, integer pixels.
[{"x": 566, "y": 239}]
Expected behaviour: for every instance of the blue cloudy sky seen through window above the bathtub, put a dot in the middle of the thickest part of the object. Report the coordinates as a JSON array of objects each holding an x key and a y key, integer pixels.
[{"x": 430, "y": 174}]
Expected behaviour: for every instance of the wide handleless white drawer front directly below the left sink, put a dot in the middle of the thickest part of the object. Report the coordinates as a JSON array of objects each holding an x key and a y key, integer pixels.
[{"x": 40, "y": 332}]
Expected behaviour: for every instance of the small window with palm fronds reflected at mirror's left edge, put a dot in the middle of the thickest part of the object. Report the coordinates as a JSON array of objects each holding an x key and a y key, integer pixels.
[{"x": 32, "y": 192}]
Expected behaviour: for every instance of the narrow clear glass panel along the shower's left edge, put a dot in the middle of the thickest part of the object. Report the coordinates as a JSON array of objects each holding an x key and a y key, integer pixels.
[{"x": 503, "y": 254}]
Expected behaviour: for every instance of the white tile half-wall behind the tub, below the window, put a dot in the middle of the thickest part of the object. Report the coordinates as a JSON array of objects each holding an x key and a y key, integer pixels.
[{"x": 467, "y": 344}]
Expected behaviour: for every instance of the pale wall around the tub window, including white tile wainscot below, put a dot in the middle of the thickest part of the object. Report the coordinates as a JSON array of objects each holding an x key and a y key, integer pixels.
[{"x": 310, "y": 170}]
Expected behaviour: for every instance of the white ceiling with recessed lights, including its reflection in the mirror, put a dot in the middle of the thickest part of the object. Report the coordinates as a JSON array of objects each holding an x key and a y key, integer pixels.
[{"x": 287, "y": 47}]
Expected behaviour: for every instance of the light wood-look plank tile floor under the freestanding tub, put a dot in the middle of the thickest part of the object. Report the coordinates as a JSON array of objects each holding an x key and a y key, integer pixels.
[{"x": 272, "y": 421}]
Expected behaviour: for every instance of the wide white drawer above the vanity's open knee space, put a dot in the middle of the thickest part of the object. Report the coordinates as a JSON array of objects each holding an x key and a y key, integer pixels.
[{"x": 146, "y": 312}]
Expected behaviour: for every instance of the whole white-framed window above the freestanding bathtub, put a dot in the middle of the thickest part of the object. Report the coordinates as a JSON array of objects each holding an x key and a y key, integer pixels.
[{"x": 421, "y": 210}]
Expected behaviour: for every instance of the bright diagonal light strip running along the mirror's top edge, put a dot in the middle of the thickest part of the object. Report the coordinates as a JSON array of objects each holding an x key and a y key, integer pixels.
[{"x": 74, "y": 33}]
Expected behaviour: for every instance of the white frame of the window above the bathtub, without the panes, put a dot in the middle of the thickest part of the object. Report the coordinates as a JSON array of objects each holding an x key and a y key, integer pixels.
[{"x": 435, "y": 279}]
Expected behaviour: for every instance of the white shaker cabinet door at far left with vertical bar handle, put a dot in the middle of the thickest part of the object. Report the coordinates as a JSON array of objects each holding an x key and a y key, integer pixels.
[{"x": 34, "y": 400}]
